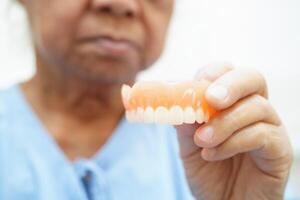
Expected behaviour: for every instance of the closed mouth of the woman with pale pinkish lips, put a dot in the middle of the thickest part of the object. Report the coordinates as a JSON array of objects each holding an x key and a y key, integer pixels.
[{"x": 110, "y": 47}]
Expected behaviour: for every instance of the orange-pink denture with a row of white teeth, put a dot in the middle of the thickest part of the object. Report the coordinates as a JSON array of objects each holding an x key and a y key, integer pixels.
[{"x": 167, "y": 102}]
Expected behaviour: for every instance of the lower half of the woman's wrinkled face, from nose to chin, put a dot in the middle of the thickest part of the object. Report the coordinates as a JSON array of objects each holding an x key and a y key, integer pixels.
[{"x": 99, "y": 40}]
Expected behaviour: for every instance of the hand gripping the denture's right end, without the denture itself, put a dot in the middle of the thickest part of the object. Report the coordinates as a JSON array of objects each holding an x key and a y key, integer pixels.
[{"x": 244, "y": 151}]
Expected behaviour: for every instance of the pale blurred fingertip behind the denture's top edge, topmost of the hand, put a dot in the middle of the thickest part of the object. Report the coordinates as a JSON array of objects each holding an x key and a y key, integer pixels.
[{"x": 213, "y": 71}]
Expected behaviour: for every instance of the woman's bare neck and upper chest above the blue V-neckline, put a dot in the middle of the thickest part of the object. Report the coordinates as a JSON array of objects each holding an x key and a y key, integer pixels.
[{"x": 79, "y": 114}]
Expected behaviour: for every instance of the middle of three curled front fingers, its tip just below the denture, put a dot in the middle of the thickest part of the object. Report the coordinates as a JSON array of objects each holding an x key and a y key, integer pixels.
[{"x": 247, "y": 111}]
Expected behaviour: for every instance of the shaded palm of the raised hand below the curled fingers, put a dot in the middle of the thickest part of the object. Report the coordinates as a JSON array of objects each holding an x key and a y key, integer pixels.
[{"x": 232, "y": 178}]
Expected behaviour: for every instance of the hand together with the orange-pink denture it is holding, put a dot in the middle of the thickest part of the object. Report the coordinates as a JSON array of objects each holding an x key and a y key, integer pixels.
[{"x": 241, "y": 152}]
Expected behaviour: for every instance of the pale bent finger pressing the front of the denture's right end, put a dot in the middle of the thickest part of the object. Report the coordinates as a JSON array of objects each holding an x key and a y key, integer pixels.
[{"x": 234, "y": 85}]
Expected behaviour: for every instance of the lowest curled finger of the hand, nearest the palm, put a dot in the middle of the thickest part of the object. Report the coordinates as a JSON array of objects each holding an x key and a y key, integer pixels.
[{"x": 262, "y": 138}]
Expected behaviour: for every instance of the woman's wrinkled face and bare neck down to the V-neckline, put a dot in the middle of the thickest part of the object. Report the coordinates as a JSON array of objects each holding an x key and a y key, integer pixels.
[{"x": 85, "y": 50}]
